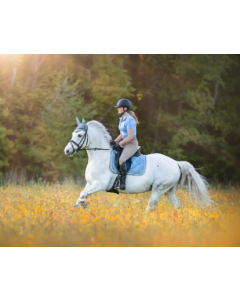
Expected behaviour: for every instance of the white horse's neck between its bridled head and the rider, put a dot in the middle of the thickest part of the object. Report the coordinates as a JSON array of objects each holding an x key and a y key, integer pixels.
[{"x": 96, "y": 140}]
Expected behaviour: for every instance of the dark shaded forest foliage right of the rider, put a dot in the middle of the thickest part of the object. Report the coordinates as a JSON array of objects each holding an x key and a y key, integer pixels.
[{"x": 198, "y": 96}]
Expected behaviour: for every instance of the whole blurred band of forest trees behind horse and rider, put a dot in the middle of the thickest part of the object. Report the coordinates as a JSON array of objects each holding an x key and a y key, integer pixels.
[{"x": 187, "y": 104}]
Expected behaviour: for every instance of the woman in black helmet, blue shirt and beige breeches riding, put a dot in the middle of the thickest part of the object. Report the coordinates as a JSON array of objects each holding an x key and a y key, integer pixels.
[{"x": 127, "y": 138}]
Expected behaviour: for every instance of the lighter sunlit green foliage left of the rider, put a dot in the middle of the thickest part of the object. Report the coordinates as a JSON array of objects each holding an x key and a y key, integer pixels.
[{"x": 38, "y": 116}]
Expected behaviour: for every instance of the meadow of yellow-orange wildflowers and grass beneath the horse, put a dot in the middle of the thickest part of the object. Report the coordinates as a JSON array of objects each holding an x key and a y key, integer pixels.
[{"x": 44, "y": 215}]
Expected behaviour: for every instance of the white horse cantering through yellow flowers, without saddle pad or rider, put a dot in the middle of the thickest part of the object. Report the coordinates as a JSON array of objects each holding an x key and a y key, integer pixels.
[{"x": 162, "y": 176}]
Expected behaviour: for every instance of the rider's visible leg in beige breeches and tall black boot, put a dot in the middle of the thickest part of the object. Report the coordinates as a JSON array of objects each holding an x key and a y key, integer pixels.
[{"x": 128, "y": 151}]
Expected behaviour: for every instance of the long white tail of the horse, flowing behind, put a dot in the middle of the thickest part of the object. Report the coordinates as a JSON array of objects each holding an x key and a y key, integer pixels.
[{"x": 197, "y": 184}]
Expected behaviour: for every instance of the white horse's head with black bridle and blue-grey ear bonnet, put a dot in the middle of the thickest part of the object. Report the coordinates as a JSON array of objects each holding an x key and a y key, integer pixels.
[{"x": 79, "y": 139}]
